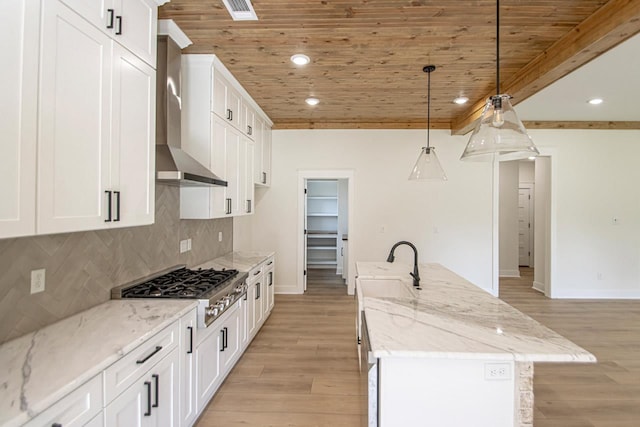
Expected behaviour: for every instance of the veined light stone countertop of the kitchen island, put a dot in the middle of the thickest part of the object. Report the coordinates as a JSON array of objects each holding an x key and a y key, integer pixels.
[{"x": 452, "y": 318}]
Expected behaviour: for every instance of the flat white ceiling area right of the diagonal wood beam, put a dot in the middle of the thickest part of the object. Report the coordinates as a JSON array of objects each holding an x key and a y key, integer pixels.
[{"x": 614, "y": 76}]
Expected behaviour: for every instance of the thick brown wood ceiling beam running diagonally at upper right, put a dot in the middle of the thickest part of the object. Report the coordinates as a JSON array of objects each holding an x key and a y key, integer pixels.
[{"x": 610, "y": 25}]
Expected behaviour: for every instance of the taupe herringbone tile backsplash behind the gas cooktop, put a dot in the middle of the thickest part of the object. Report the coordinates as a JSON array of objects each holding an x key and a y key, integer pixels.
[{"x": 81, "y": 268}]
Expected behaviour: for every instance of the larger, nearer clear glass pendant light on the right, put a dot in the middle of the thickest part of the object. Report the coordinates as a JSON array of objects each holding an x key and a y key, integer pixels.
[{"x": 499, "y": 134}]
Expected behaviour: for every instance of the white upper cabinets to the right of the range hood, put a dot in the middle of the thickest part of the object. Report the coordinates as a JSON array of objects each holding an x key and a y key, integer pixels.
[{"x": 218, "y": 125}]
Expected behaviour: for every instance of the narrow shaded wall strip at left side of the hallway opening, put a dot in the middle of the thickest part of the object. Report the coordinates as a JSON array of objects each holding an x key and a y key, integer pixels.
[{"x": 508, "y": 220}]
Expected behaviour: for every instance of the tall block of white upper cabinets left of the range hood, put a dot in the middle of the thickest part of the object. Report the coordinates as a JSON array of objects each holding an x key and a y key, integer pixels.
[{"x": 80, "y": 123}]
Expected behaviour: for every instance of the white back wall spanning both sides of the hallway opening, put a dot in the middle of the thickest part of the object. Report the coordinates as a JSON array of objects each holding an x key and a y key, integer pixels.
[{"x": 450, "y": 222}]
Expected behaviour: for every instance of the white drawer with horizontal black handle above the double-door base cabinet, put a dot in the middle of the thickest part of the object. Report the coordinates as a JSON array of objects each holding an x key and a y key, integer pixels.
[{"x": 119, "y": 376}]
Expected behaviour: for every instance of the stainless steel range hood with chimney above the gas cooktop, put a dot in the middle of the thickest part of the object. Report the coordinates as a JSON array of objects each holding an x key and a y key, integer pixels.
[{"x": 173, "y": 165}]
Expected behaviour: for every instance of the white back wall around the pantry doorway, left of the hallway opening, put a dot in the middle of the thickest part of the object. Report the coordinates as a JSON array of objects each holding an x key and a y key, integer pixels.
[{"x": 449, "y": 222}]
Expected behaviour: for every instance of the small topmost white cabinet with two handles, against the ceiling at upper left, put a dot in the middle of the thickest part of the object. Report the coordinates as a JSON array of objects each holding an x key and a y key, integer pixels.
[{"x": 132, "y": 23}]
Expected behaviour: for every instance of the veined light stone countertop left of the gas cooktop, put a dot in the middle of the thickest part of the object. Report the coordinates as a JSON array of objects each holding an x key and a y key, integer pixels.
[{"x": 40, "y": 368}]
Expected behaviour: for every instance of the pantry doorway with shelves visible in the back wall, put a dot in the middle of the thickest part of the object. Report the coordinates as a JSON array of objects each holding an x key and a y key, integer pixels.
[{"x": 325, "y": 210}]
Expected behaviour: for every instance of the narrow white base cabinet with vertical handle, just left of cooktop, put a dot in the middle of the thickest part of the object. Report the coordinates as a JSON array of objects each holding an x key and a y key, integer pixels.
[{"x": 187, "y": 349}]
